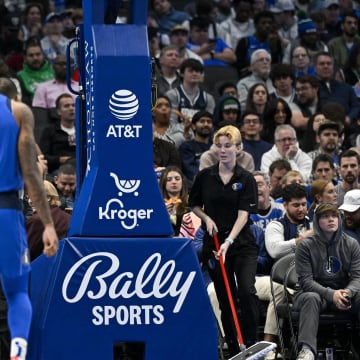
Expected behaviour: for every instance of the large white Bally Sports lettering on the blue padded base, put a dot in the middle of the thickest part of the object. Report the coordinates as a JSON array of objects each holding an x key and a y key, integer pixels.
[{"x": 97, "y": 276}]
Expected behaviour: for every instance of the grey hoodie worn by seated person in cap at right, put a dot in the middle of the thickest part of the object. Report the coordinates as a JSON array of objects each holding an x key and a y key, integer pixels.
[{"x": 324, "y": 266}]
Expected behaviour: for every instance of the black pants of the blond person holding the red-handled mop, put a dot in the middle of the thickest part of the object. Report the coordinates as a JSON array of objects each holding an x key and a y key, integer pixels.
[{"x": 241, "y": 272}]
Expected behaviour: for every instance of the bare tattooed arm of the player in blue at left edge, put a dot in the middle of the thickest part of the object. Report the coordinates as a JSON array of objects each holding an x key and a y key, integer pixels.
[{"x": 33, "y": 182}]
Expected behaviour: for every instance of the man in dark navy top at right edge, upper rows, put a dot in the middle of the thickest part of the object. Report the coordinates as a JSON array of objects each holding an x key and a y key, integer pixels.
[{"x": 333, "y": 90}]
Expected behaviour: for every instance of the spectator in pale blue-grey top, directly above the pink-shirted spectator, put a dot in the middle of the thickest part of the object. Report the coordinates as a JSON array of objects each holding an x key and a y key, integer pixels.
[{"x": 54, "y": 42}]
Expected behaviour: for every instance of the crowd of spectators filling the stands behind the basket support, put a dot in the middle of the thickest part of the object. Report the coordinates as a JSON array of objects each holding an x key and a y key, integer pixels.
[{"x": 285, "y": 73}]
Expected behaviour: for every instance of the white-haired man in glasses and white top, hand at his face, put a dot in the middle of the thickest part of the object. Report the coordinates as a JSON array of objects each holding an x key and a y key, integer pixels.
[{"x": 287, "y": 147}]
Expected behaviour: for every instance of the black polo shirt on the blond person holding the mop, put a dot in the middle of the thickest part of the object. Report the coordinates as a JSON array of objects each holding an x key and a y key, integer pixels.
[{"x": 222, "y": 202}]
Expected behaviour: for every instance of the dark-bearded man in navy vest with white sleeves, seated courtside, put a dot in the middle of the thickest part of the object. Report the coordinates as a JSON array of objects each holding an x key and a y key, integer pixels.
[{"x": 283, "y": 236}]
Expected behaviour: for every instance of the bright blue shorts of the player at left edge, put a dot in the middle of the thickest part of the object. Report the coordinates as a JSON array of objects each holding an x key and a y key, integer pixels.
[{"x": 14, "y": 253}]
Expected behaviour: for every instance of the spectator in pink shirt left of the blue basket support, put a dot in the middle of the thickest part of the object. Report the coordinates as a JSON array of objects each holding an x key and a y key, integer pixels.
[{"x": 47, "y": 92}]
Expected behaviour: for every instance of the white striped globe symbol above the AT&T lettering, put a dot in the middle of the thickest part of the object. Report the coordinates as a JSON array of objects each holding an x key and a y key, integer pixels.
[{"x": 123, "y": 104}]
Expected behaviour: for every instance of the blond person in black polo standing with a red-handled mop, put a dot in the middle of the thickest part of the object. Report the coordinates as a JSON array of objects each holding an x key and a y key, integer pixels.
[{"x": 223, "y": 195}]
